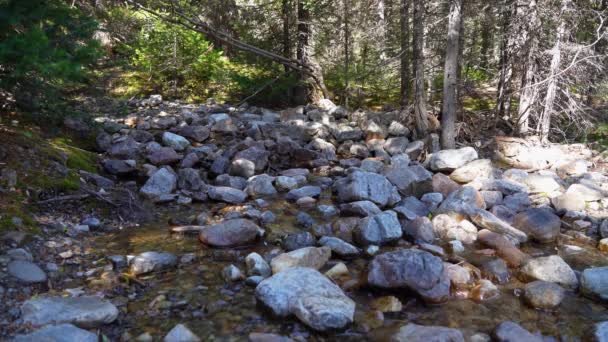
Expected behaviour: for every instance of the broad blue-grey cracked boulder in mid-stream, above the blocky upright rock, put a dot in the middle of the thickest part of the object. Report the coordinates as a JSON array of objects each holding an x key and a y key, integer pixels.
[{"x": 362, "y": 186}]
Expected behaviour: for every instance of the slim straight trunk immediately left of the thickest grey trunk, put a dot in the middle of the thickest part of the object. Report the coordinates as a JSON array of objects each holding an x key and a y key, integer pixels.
[{"x": 420, "y": 113}]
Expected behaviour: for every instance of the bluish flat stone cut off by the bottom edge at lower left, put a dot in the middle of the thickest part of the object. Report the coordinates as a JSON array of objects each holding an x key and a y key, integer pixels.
[{"x": 58, "y": 333}]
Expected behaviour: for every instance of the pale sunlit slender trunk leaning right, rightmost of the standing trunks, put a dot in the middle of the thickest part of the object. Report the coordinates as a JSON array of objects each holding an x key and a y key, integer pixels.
[{"x": 544, "y": 124}]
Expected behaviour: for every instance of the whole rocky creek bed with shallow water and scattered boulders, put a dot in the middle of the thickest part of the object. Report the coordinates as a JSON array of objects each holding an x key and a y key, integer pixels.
[{"x": 313, "y": 223}]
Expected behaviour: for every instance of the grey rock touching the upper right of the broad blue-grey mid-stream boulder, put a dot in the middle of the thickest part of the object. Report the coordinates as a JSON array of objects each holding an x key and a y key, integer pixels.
[{"x": 412, "y": 180}]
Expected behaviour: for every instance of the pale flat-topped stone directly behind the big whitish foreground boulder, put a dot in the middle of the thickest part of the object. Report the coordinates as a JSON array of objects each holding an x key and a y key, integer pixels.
[{"x": 311, "y": 257}]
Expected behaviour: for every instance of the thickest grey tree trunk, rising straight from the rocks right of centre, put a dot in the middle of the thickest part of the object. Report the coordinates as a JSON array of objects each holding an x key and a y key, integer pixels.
[{"x": 450, "y": 77}]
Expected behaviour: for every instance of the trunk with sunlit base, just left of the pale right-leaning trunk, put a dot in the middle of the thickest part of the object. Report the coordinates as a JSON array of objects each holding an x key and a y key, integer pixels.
[{"x": 529, "y": 92}]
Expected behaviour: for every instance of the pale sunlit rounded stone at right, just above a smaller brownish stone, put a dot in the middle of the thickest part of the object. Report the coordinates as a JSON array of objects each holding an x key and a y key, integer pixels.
[{"x": 551, "y": 268}]
